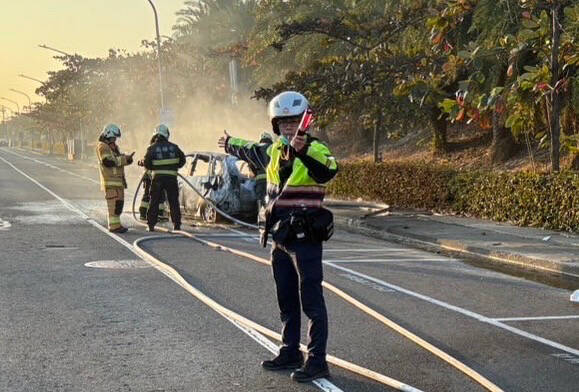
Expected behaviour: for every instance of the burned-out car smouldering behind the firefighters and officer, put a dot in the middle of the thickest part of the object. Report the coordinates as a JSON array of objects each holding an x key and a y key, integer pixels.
[{"x": 223, "y": 179}]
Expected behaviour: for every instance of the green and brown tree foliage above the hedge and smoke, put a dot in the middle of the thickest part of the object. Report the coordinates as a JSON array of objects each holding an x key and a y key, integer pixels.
[{"x": 373, "y": 69}]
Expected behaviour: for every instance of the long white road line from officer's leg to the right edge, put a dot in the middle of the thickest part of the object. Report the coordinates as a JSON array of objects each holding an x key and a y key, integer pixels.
[{"x": 463, "y": 311}]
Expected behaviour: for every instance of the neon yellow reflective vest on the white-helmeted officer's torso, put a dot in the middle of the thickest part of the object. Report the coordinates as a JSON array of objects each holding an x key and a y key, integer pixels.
[{"x": 299, "y": 190}]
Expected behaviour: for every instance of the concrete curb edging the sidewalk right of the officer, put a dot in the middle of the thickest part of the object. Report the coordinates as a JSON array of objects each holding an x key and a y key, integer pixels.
[{"x": 456, "y": 248}]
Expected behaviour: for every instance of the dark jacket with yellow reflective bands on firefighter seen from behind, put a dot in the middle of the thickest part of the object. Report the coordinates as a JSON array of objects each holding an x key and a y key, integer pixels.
[{"x": 164, "y": 158}]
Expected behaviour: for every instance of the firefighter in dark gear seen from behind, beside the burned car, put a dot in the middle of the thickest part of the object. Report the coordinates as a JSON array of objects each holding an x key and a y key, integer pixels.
[{"x": 164, "y": 159}]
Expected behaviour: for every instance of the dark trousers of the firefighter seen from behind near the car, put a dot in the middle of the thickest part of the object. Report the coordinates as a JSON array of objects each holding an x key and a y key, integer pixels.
[{"x": 161, "y": 184}]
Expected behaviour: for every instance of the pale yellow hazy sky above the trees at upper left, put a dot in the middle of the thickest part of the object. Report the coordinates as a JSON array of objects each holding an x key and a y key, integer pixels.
[{"x": 86, "y": 27}]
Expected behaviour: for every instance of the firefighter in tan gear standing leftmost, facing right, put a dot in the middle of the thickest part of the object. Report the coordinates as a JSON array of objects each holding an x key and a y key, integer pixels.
[{"x": 112, "y": 173}]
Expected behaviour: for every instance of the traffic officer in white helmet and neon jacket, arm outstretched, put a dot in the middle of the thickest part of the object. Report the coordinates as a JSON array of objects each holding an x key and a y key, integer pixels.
[{"x": 298, "y": 167}]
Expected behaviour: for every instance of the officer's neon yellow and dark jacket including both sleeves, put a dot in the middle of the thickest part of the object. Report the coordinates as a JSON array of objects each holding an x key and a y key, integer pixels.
[{"x": 297, "y": 182}]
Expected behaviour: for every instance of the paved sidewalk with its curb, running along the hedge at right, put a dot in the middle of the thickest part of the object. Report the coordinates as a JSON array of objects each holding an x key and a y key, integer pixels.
[{"x": 533, "y": 249}]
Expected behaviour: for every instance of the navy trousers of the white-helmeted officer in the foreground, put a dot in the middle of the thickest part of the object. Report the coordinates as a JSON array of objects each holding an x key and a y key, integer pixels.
[{"x": 298, "y": 273}]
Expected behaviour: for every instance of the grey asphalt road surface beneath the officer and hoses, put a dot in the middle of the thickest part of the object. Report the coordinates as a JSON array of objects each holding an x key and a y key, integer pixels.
[{"x": 67, "y": 326}]
